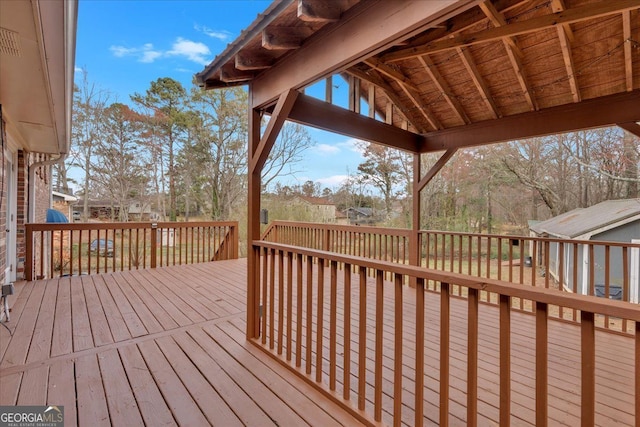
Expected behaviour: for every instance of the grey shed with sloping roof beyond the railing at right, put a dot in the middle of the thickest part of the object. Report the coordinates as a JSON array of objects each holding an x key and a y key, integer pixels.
[{"x": 613, "y": 221}]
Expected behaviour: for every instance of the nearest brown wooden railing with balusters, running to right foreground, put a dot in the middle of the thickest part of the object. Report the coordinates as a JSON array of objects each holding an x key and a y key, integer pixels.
[{"x": 381, "y": 344}]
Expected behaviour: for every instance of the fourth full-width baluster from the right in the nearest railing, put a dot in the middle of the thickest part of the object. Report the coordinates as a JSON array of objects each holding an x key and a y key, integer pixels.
[{"x": 472, "y": 357}]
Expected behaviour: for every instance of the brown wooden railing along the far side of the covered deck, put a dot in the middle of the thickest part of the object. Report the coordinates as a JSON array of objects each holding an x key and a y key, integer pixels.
[{"x": 574, "y": 266}]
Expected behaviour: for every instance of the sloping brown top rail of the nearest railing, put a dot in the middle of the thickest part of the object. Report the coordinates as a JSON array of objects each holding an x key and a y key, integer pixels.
[{"x": 587, "y": 303}]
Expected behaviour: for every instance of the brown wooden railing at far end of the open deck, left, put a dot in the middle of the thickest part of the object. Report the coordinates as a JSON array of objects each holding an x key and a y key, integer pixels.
[{"x": 54, "y": 250}]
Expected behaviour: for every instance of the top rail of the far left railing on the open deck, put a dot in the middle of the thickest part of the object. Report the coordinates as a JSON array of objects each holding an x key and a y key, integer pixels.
[{"x": 126, "y": 225}]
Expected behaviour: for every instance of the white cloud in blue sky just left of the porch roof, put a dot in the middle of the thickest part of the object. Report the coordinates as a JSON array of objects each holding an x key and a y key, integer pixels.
[{"x": 187, "y": 49}]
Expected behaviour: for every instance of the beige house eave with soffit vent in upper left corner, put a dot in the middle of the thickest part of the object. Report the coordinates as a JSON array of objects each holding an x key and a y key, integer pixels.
[{"x": 37, "y": 53}]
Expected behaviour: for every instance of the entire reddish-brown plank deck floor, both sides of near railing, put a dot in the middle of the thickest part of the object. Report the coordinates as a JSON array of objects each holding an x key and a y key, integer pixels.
[{"x": 167, "y": 346}]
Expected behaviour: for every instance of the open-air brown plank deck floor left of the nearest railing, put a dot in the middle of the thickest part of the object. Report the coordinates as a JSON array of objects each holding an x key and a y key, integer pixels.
[{"x": 150, "y": 347}]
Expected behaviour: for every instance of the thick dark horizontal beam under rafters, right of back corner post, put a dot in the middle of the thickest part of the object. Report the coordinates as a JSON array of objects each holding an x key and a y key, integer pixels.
[{"x": 592, "y": 113}]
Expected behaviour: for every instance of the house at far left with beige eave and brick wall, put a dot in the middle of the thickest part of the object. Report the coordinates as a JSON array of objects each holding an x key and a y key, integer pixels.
[{"x": 37, "y": 54}]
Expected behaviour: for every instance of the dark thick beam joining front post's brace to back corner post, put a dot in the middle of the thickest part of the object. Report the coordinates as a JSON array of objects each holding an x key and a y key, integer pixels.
[{"x": 313, "y": 112}]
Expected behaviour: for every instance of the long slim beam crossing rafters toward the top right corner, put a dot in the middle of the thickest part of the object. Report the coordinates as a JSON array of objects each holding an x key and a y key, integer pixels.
[{"x": 583, "y": 13}]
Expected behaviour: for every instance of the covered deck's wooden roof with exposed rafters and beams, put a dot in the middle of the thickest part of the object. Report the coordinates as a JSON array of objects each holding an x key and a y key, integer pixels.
[{"x": 446, "y": 74}]
